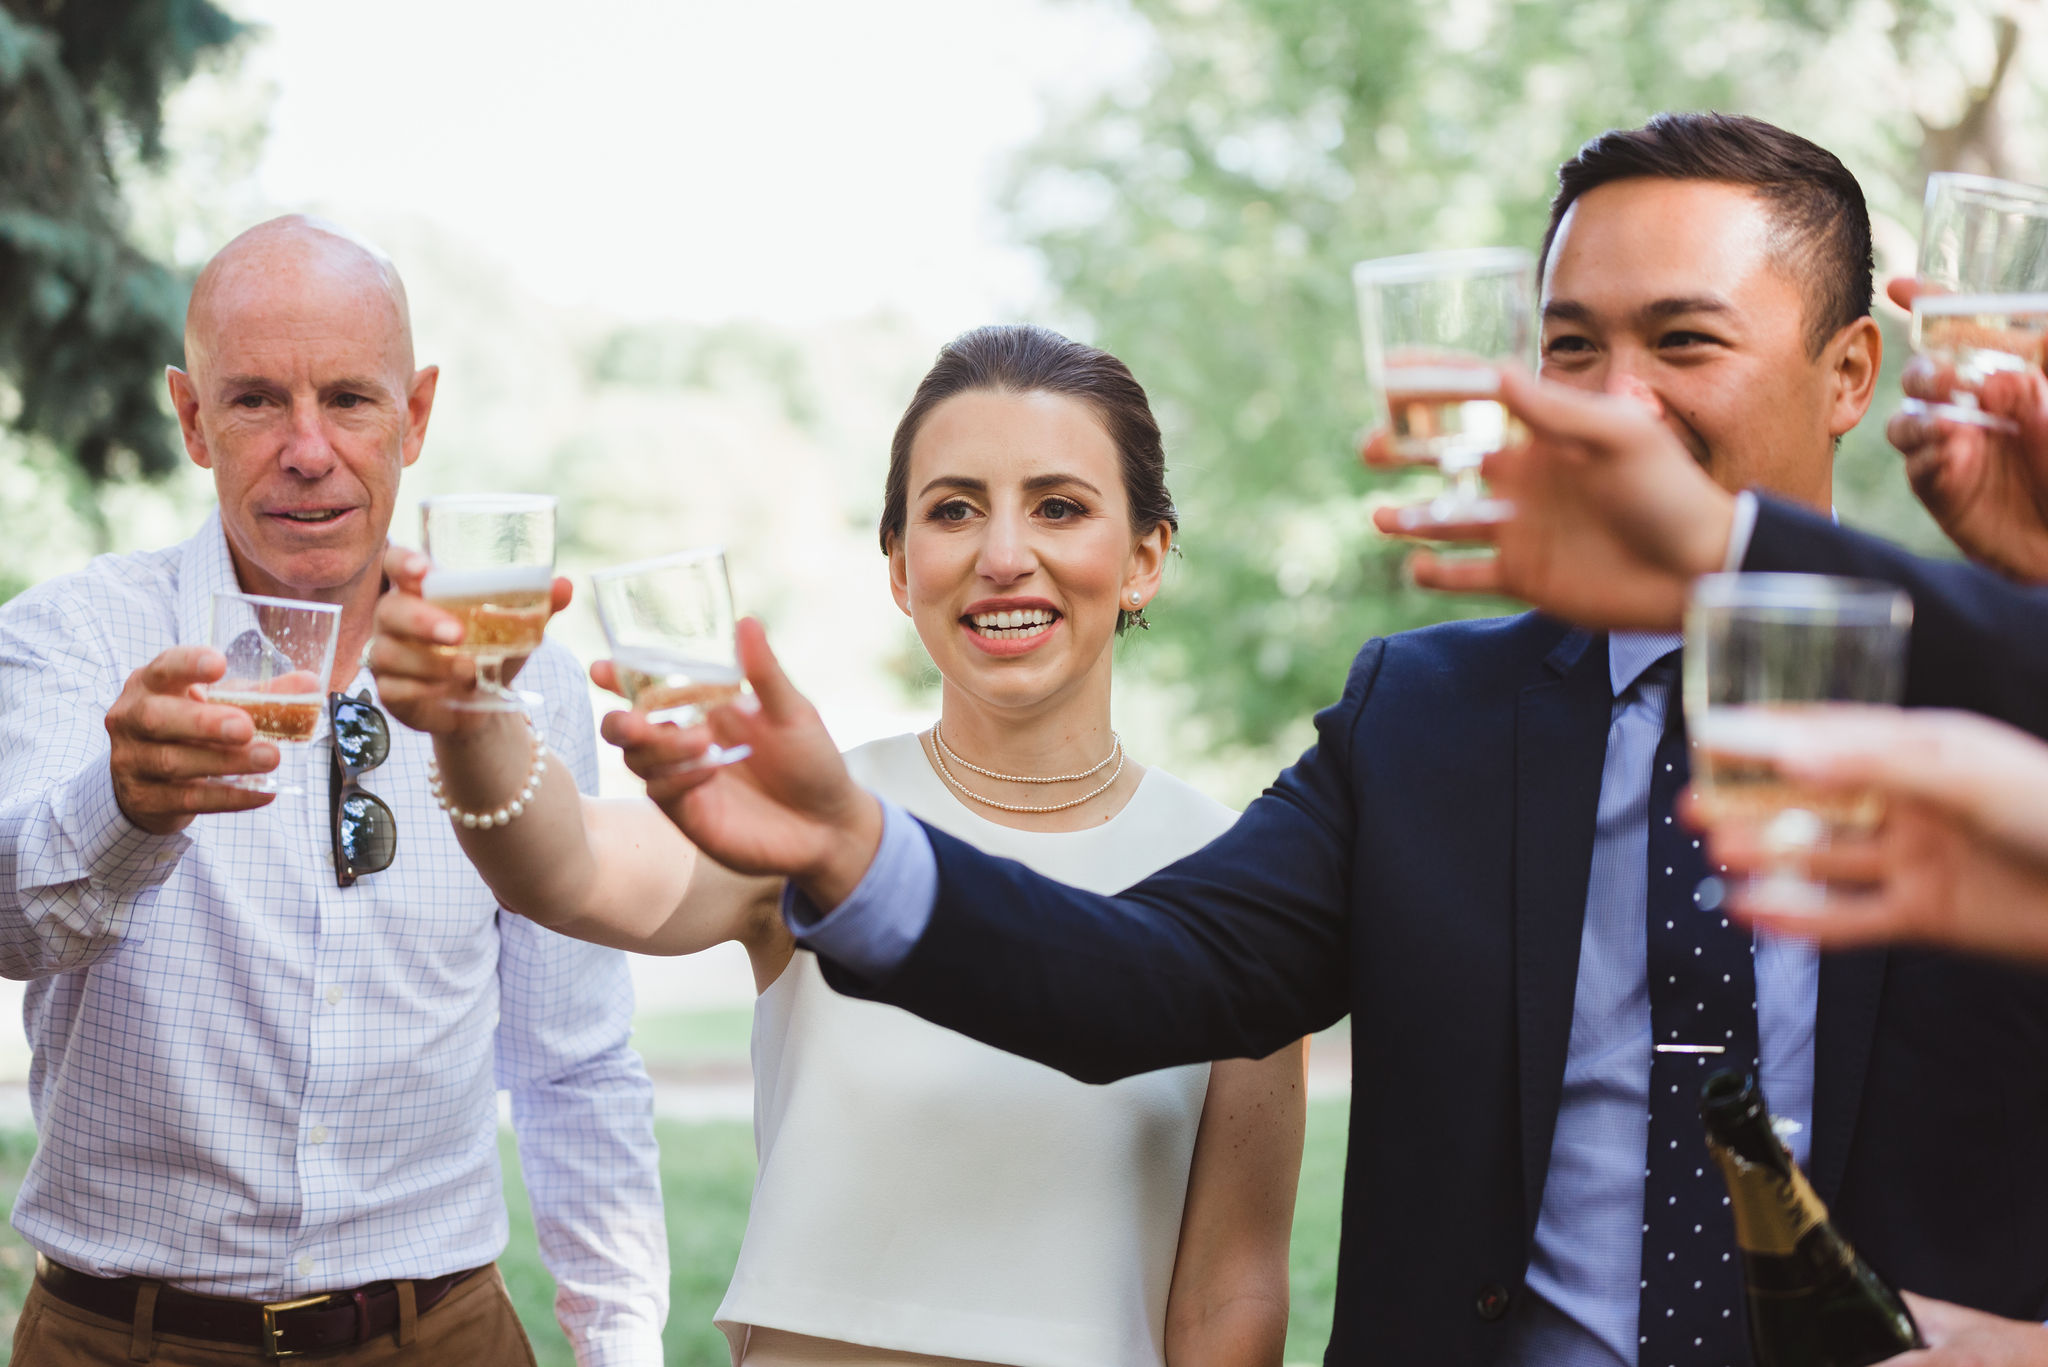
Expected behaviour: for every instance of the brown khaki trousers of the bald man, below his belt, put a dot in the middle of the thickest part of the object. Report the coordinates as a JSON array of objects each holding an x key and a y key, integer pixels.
[{"x": 472, "y": 1325}]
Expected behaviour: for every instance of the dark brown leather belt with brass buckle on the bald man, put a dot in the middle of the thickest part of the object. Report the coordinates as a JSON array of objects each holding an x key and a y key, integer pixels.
[{"x": 282, "y": 1329}]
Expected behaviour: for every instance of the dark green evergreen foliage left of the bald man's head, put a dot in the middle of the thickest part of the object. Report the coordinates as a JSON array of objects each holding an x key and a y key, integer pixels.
[{"x": 87, "y": 319}]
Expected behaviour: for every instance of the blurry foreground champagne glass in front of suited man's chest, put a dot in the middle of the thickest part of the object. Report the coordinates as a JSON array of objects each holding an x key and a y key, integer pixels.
[{"x": 1760, "y": 653}]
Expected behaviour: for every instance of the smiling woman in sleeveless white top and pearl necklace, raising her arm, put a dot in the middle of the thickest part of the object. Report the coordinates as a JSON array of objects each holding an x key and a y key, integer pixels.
[{"x": 1029, "y": 1218}]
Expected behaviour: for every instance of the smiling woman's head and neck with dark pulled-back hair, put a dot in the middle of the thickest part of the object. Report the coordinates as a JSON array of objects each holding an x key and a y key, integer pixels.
[{"x": 1027, "y": 522}]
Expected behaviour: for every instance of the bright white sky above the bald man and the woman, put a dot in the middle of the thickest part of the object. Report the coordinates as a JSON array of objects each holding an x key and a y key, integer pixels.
[{"x": 792, "y": 161}]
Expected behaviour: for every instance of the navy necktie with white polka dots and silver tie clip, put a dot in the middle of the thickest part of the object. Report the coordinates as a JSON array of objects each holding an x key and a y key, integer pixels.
[{"x": 1703, "y": 989}]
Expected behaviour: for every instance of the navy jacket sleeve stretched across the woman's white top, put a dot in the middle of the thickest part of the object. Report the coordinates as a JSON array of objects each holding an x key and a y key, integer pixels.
[{"x": 1228, "y": 954}]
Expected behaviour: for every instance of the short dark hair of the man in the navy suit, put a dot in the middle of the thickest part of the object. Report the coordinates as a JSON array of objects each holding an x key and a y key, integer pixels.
[{"x": 1824, "y": 226}]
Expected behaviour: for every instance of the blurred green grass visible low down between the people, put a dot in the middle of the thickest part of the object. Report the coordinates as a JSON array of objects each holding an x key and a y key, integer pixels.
[{"x": 708, "y": 1175}]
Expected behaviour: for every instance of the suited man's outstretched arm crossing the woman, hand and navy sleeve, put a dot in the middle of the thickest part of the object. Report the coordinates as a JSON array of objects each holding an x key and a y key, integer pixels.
[{"x": 1228, "y": 954}]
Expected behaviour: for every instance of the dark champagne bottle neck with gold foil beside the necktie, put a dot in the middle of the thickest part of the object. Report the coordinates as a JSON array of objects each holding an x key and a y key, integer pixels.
[{"x": 1811, "y": 1300}]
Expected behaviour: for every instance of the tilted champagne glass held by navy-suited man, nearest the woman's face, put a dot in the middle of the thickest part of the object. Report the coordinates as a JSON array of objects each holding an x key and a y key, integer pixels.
[{"x": 671, "y": 626}]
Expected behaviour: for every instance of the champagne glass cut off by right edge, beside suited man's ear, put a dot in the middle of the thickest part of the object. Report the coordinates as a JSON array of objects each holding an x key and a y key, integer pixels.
[{"x": 1983, "y": 304}]
